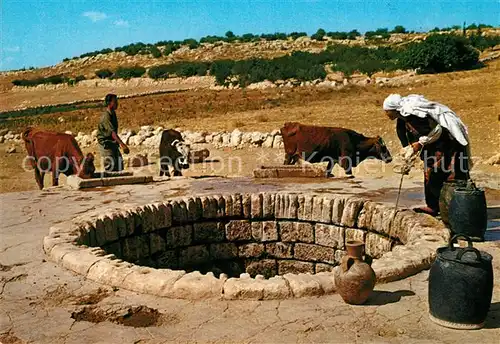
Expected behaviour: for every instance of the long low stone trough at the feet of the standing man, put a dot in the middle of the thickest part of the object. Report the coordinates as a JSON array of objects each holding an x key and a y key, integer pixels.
[{"x": 106, "y": 179}]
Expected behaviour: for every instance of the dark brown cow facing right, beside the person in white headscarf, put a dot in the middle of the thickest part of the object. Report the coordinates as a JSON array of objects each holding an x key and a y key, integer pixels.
[{"x": 335, "y": 145}]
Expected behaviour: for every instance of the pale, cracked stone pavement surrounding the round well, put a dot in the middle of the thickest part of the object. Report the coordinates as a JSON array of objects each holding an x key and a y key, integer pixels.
[{"x": 41, "y": 302}]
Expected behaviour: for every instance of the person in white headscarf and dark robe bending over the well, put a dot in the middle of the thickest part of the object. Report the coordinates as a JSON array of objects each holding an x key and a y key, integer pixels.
[{"x": 440, "y": 135}]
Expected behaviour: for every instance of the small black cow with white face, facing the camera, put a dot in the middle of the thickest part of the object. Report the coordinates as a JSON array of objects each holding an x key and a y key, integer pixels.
[{"x": 174, "y": 152}]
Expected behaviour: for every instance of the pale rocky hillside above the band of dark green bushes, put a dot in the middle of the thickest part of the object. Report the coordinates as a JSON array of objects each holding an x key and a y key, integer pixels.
[{"x": 87, "y": 66}]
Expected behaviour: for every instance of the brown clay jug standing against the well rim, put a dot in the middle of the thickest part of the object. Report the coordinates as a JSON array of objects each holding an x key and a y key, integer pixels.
[{"x": 355, "y": 278}]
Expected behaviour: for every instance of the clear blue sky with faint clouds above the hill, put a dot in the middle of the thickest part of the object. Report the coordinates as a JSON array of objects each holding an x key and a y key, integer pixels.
[{"x": 43, "y": 32}]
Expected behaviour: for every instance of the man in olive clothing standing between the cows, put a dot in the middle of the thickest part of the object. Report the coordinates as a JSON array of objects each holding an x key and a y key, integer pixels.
[{"x": 107, "y": 137}]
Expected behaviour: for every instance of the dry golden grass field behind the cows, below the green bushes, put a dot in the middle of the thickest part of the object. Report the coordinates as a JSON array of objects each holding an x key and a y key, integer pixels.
[{"x": 474, "y": 95}]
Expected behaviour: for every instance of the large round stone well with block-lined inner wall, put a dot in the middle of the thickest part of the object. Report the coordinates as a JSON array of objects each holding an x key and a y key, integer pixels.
[{"x": 242, "y": 246}]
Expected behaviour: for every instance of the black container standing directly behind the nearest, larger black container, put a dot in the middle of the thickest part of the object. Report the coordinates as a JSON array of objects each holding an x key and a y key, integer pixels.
[{"x": 467, "y": 212}]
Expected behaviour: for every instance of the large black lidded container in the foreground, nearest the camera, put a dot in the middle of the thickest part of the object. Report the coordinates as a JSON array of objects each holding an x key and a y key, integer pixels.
[{"x": 460, "y": 286}]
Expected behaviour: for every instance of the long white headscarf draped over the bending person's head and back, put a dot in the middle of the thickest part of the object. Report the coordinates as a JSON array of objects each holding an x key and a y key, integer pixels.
[{"x": 417, "y": 105}]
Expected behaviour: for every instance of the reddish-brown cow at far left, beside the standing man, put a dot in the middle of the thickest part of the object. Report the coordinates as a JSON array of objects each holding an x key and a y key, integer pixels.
[{"x": 54, "y": 152}]
